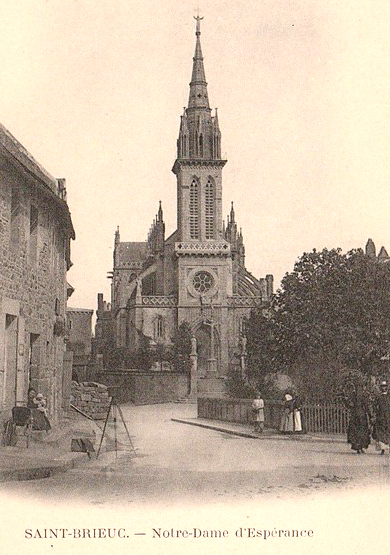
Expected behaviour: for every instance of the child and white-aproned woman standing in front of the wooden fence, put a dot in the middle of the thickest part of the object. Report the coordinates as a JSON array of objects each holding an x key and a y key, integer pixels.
[{"x": 291, "y": 421}]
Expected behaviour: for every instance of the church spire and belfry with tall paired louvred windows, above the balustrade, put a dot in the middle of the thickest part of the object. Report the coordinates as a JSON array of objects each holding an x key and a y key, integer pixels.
[{"x": 198, "y": 167}]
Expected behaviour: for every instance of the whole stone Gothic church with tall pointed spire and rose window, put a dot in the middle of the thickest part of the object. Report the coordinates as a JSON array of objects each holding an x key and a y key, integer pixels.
[{"x": 197, "y": 274}]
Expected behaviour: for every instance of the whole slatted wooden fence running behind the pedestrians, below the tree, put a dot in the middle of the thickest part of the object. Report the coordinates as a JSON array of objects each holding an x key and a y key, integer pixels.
[{"x": 317, "y": 418}]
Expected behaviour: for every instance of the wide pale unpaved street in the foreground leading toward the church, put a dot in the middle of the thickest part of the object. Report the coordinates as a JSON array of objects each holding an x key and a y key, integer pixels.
[{"x": 177, "y": 463}]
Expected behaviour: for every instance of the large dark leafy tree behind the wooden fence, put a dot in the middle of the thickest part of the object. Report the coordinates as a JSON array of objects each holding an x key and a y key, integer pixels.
[{"x": 330, "y": 313}]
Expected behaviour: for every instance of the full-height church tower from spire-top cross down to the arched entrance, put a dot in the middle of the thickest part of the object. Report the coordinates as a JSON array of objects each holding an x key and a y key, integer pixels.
[{"x": 203, "y": 255}]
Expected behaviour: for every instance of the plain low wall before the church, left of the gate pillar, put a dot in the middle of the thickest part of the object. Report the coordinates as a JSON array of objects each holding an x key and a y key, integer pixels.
[{"x": 145, "y": 387}]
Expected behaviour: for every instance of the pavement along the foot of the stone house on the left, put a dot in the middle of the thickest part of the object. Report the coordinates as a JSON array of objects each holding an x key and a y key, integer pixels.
[{"x": 48, "y": 453}]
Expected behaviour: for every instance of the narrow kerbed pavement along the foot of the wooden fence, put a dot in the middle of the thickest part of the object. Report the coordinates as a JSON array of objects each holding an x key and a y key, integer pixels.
[{"x": 245, "y": 430}]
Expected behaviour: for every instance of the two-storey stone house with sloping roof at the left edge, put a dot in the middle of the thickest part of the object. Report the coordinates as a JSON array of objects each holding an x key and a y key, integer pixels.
[{"x": 35, "y": 234}]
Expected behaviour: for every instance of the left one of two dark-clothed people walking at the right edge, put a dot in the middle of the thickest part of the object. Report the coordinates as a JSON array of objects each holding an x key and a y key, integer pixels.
[{"x": 358, "y": 433}]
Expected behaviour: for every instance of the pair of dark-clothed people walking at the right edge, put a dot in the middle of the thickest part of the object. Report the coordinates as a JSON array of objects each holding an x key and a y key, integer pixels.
[{"x": 369, "y": 420}]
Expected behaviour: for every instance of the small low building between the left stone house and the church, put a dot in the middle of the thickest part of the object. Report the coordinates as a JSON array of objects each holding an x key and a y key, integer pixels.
[{"x": 79, "y": 340}]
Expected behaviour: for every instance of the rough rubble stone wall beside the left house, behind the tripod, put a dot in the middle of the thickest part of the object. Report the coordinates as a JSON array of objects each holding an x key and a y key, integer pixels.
[{"x": 91, "y": 398}]
